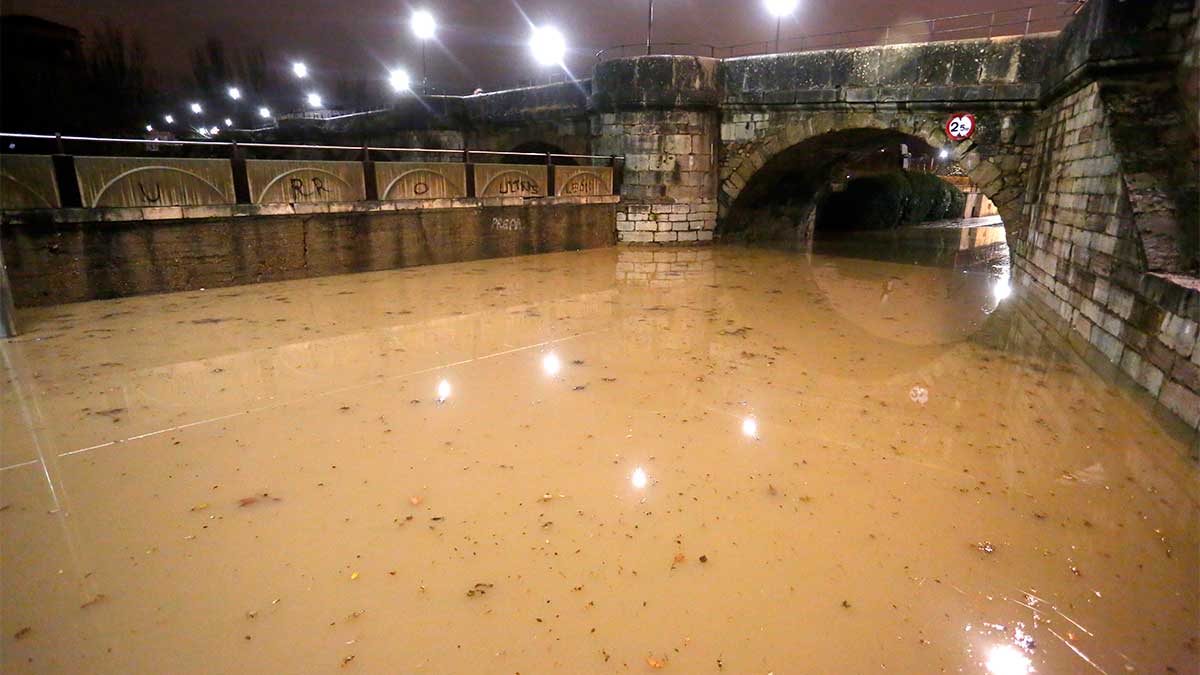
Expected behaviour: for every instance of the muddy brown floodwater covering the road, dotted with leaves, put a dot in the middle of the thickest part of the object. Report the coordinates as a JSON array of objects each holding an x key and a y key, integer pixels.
[{"x": 623, "y": 461}]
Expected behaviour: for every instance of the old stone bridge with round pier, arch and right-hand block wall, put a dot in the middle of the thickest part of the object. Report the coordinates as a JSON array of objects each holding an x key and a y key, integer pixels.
[{"x": 1087, "y": 142}]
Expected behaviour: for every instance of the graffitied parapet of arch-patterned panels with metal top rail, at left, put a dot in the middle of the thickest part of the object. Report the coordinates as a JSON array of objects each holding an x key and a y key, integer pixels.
[{"x": 57, "y": 180}]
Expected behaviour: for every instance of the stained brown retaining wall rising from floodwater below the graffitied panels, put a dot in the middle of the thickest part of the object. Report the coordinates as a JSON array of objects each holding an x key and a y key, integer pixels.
[{"x": 75, "y": 255}]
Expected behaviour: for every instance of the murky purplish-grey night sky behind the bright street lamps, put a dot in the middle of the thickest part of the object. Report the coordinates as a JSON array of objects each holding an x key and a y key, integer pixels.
[{"x": 483, "y": 43}]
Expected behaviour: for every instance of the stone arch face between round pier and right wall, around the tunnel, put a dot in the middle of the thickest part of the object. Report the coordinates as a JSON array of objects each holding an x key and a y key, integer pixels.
[{"x": 759, "y": 147}]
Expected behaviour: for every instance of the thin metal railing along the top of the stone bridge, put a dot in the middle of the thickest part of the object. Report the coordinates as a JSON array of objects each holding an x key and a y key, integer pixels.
[{"x": 1024, "y": 21}]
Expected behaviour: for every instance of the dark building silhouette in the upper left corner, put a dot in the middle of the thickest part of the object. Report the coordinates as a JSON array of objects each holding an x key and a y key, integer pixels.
[{"x": 41, "y": 69}]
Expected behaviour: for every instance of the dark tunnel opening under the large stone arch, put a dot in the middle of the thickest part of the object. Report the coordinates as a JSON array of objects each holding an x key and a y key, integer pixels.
[{"x": 848, "y": 182}]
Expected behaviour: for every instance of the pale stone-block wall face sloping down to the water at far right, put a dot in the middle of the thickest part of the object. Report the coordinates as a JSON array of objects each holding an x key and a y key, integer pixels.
[{"x": 1084, "y": 258}]
